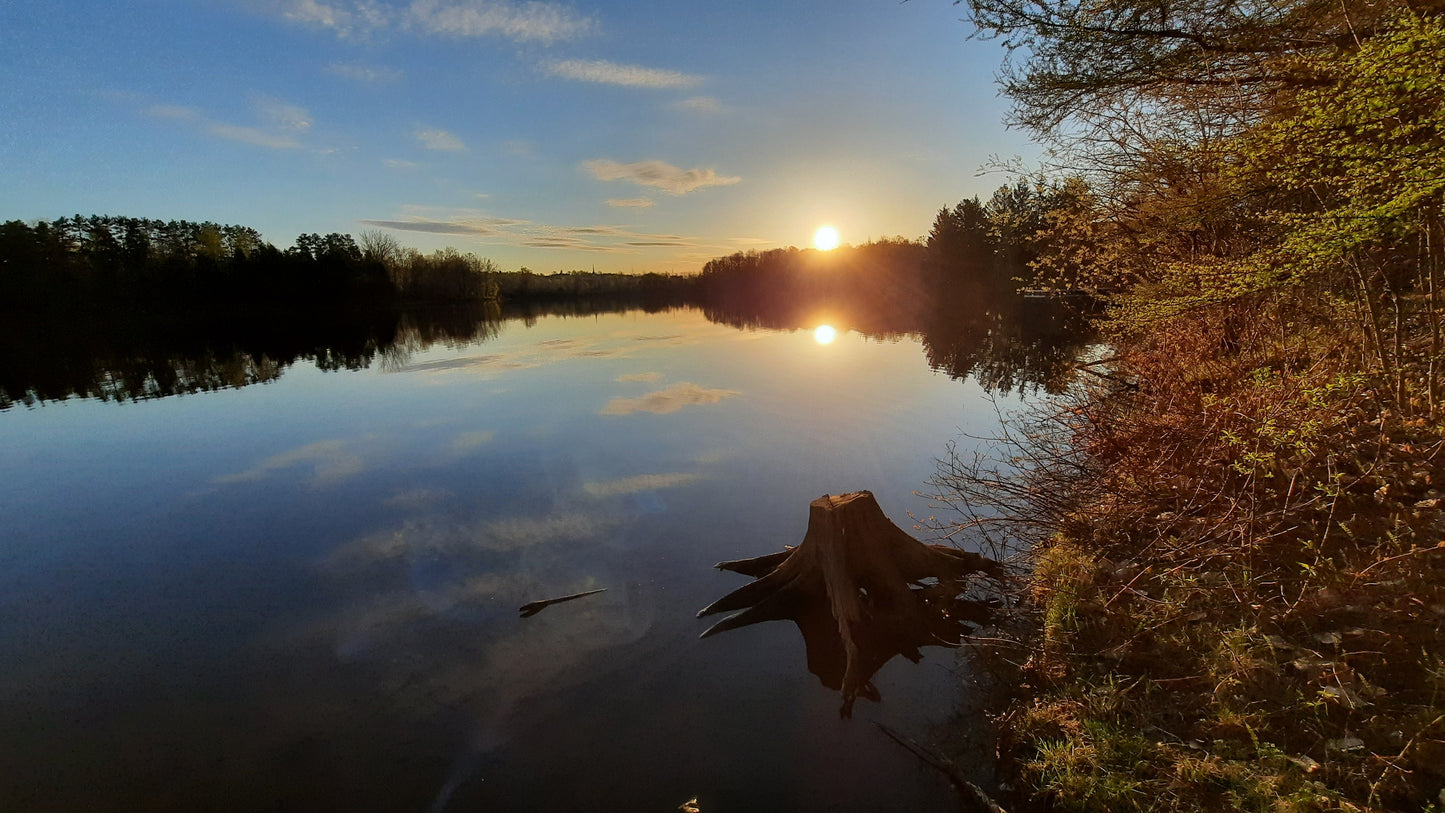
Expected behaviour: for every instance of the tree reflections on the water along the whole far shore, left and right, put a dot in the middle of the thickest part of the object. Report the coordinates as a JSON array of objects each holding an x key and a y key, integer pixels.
[{"x": 999, "y": 340}]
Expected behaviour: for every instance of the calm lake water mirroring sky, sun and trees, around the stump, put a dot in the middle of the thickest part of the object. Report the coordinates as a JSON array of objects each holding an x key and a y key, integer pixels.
[{"x": 288, "y": 575}]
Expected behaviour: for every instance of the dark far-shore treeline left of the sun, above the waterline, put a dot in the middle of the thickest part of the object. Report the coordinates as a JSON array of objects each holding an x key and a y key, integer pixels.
[{"x": 108, "y": 262}]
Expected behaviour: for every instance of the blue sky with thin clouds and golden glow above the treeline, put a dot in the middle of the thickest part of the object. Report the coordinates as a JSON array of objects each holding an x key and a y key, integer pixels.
[{"x": 619, "y": 136}]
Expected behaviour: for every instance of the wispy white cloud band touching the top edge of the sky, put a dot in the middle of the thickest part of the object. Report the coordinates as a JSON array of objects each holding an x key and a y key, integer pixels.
[{"x": 359, "y": 19}]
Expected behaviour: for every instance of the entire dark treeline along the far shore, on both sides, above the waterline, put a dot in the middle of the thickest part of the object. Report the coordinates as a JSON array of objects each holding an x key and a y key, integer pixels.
[{"x": 106, "y": 262}]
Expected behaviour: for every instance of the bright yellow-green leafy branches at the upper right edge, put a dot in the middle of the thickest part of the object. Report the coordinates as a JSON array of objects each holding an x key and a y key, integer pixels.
[{"x": 1360, "y": 155}]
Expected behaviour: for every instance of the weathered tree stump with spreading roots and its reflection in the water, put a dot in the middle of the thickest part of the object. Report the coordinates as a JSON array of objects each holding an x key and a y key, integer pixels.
[{"x": 862, "y": 591}]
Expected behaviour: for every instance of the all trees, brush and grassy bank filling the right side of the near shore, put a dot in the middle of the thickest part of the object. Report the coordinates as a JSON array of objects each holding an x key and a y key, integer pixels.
[{"x": 1230, "y": 534}]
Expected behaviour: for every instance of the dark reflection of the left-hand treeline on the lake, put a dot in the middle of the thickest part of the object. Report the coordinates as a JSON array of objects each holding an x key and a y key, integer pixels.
[{"x": 126, "y": 357}]
